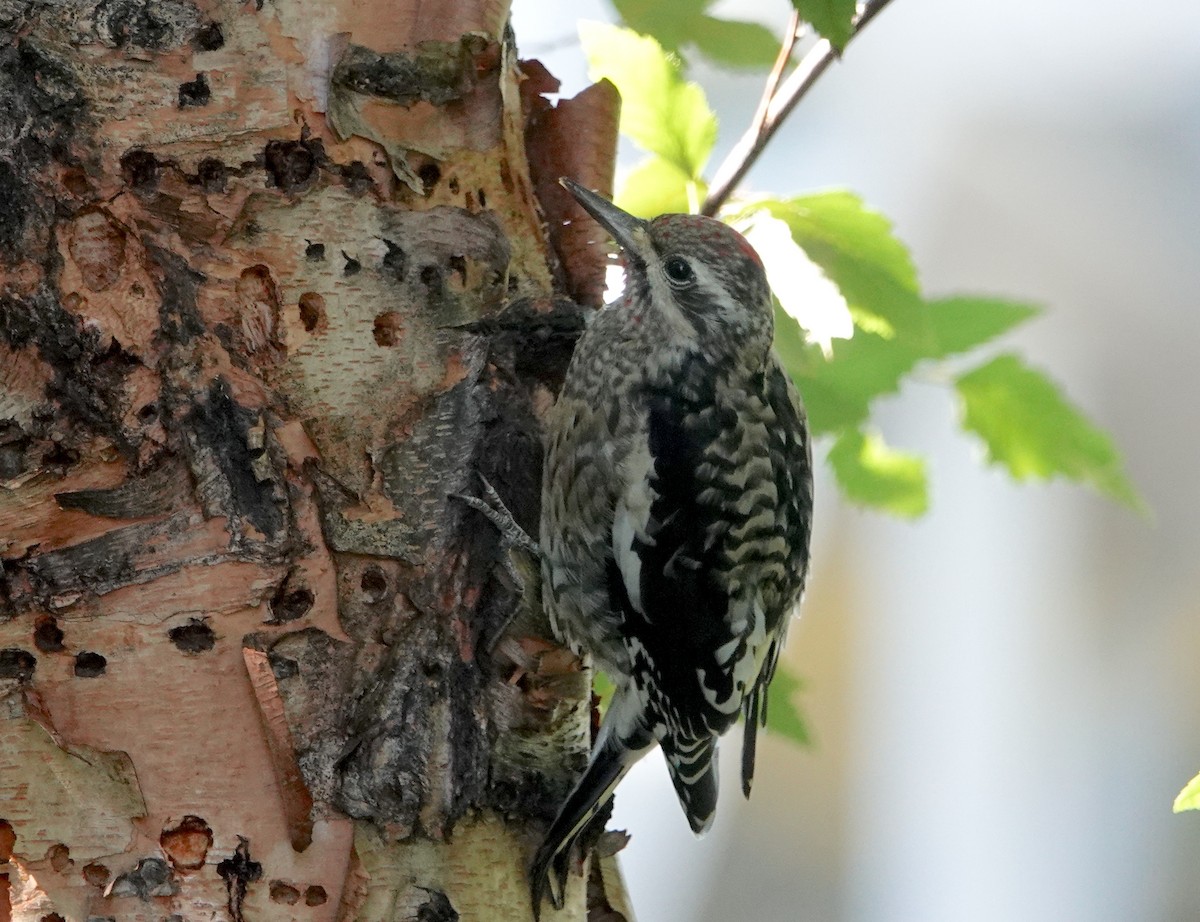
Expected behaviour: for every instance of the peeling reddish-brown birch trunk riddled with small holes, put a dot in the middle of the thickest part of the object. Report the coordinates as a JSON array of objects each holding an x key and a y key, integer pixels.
[{"x": 277, "y": 282}]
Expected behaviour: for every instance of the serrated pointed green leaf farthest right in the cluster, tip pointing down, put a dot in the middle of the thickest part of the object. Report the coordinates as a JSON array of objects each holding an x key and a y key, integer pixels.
[{"x": 1031, "y": 430}]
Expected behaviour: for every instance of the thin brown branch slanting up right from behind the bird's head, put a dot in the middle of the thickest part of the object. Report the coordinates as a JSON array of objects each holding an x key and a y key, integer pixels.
[{"x": 748, "y": 149}]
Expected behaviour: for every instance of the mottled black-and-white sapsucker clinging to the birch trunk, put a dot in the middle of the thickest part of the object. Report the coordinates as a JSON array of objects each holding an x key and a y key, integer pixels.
[{"x": 677, "y": 506}]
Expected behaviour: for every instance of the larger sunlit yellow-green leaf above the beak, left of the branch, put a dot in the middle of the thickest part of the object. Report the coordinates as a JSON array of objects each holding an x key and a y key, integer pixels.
[{"x": 661, "y": 112}]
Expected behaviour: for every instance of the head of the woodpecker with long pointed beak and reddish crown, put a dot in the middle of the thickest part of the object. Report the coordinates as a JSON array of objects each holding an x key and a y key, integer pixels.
[{"x": 699, "y": 276}]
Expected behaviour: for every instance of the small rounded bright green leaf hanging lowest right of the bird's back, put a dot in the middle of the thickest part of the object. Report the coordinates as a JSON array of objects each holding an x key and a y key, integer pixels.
[{"x": 872, "y": 474}]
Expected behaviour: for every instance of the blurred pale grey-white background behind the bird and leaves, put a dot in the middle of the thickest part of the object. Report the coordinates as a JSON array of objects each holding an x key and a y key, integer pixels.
[{"x": 1004, "y": 695}]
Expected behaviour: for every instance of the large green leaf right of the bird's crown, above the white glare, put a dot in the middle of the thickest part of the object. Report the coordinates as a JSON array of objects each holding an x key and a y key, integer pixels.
[{"x": 857, "y": 250}]
